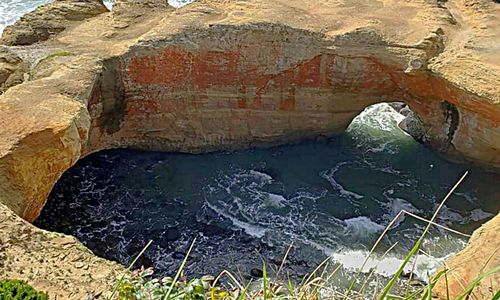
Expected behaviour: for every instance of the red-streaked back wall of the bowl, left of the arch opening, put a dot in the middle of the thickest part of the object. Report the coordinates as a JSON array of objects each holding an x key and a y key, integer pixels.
[{"x": 239, "y": 87}]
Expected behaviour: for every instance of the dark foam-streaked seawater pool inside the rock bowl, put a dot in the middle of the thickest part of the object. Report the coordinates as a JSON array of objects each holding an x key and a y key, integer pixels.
[{"x": 330, "y": 198}]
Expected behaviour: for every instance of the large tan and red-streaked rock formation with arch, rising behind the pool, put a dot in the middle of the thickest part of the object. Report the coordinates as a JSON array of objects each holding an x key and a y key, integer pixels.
[{"x": 229, "y": 74}]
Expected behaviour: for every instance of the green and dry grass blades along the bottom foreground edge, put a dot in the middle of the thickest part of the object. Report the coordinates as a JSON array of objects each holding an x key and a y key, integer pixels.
[{"x": 280, "y": 287}]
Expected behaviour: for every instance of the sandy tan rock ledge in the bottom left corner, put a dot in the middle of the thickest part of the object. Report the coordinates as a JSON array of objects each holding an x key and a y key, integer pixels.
[{"x": 51, "y": 261}]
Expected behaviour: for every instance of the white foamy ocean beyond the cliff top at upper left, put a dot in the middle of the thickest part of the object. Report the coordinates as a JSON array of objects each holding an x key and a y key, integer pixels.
[{"x": 12, "y": 10}]
